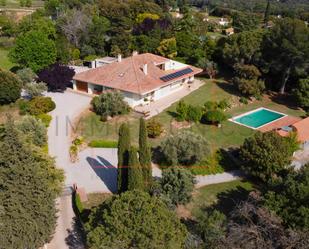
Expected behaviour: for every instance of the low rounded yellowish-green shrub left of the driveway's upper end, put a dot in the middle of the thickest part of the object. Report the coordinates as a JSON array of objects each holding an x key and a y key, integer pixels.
[{"x": 40, "y": 105}]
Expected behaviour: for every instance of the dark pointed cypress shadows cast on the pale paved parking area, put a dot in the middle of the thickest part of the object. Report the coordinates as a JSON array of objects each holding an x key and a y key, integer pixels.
[{"x": 105, "y": 170}]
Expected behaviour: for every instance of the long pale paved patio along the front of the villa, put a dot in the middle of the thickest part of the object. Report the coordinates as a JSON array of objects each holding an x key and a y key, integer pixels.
[{"x": 160, "y": 105}]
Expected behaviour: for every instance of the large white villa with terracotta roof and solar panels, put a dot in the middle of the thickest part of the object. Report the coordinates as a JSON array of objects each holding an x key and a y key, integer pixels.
[{"x": 141, "y": 78}]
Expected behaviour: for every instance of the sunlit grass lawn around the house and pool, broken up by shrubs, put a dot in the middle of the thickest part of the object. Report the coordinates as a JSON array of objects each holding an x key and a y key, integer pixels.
[{"x": 229, "y": 135}]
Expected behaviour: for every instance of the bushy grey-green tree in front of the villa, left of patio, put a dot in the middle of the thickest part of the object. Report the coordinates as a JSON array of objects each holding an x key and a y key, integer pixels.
[{"x": 109, "y": 104}]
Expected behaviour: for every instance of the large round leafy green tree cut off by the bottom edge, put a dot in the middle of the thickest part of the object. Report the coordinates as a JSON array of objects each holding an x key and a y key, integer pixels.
[{"x": 134, "y": 219}]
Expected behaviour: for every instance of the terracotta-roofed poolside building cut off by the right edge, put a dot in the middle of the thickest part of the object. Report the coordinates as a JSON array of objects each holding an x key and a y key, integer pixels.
[{"x": 301, "y": 128}]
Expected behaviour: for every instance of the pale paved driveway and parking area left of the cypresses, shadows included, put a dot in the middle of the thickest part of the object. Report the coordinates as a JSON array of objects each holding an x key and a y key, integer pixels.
[{"x": 95, "y": 171}]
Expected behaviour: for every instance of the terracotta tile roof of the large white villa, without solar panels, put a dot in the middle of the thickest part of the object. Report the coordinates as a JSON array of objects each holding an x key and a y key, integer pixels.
[{"x": 128, "y": 74}]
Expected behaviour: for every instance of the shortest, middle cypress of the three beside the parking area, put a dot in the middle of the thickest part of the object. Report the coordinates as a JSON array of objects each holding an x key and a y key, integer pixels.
[{"x": 135, "y": 173}]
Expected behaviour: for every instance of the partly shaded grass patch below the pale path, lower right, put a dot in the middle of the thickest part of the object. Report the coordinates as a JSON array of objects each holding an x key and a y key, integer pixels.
[{"x": 222, "y": 196}]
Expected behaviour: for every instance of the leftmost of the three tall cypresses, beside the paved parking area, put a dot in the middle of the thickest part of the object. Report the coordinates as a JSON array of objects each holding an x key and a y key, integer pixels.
[{"x": 123, "y": 157}]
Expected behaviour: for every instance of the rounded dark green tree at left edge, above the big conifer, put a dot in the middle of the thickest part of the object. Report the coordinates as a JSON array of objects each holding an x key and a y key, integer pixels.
[{"x": 10, "y": 87}]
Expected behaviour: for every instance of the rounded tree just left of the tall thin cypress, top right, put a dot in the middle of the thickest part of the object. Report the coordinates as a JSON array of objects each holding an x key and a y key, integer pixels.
[{"x": 243, "y": 21}]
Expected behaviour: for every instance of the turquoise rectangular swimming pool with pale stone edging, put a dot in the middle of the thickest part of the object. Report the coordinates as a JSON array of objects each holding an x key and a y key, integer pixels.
[{"x": 257, "y": 118}]
